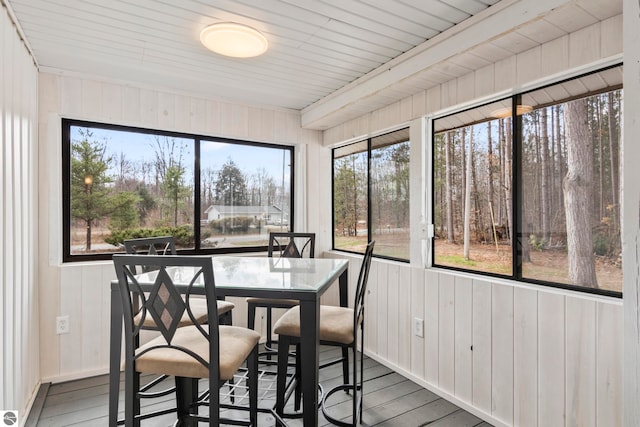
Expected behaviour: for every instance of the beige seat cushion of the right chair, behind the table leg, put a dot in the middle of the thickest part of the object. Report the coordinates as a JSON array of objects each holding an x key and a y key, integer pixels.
[{"x": 336, "y": 324}]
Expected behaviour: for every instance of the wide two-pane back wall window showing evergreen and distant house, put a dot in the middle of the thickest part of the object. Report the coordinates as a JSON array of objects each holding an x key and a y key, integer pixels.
[{"x": 213, "y": 195}]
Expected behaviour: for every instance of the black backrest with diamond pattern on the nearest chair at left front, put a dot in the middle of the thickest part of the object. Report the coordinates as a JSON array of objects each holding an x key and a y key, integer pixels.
[{"x": 166, "y": 297}]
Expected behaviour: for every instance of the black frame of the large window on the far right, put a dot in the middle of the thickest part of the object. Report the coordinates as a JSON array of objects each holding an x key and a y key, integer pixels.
[{"x": 517, "y": 191}]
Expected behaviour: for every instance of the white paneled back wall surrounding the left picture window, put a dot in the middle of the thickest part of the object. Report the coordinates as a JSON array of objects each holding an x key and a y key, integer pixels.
[{"x": 81, "y": 290}]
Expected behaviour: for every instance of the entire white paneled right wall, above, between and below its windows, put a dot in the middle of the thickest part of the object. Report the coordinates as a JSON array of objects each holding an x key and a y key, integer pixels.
[{"x": 541, "y": 357}]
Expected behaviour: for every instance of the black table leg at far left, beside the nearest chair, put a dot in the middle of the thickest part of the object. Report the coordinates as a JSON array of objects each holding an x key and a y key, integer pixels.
[{"x": 115, "y": 338}]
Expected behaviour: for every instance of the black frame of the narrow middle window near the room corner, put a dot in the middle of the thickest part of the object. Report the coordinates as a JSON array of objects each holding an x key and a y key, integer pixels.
[{"x": 370, "y": 234}]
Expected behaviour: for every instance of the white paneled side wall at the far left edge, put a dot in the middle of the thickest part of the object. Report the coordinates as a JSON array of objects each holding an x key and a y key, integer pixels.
[{"x": 19, "y": 376}]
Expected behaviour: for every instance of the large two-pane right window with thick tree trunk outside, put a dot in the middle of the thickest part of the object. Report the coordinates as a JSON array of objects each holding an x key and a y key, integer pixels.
[{"x": 528, "y": 187}]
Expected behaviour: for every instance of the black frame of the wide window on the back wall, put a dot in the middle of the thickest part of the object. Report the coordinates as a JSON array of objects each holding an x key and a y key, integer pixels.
[{"x": 67, "y": 123}]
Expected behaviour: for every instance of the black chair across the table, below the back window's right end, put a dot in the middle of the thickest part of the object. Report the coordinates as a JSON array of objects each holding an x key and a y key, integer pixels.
[{"x": 285, "y": 245}]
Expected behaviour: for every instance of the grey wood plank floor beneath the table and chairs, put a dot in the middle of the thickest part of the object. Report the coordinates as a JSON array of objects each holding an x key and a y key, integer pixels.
[{"x": 390, "y": 400}]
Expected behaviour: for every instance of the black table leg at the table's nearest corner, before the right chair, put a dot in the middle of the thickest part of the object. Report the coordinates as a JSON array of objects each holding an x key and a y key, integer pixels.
[{"x": 309, "y": 347}]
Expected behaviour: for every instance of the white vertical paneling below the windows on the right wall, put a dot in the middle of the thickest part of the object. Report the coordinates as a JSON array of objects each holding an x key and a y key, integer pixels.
[{"x": 513, "y": 355}]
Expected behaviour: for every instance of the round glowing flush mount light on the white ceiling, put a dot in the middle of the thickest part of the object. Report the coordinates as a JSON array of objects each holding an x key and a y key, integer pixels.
[{"x": 235, "y": 40}]
